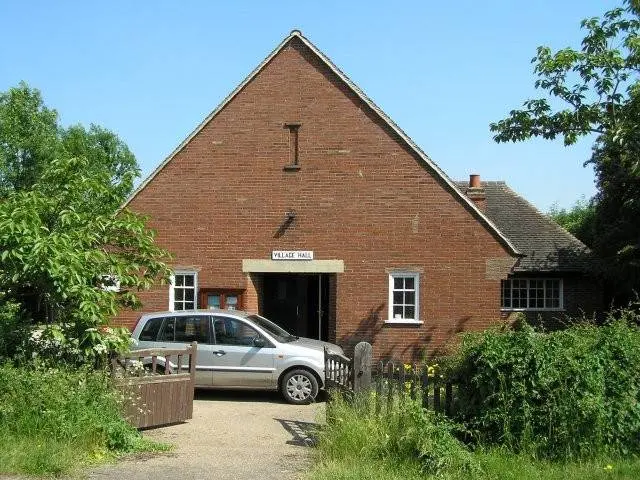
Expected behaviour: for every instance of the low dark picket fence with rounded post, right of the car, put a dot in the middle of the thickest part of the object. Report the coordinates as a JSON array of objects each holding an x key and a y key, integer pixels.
[{"x": 391, "y": 380}]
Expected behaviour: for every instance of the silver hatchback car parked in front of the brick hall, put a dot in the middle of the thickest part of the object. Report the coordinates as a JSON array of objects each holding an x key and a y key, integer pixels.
[{"x": 239, "y": 350}]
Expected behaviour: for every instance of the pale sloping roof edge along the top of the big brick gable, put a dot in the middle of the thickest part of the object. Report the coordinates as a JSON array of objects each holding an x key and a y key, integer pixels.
[{"x": 296, "y": 34}]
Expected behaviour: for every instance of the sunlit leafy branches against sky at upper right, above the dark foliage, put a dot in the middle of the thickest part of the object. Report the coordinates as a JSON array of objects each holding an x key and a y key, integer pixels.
[{"x": 593, "y": 83}]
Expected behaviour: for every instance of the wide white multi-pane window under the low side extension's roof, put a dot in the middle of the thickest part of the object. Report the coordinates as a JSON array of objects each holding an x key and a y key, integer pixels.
[{"x": 531, "y": 294}]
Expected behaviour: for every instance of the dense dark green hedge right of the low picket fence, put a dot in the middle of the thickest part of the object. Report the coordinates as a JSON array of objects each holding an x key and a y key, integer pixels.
[{"x": 567, "y": 394}]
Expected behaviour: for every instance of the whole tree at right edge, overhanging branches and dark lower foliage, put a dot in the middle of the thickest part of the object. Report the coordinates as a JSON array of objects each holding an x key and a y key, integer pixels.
[{"x": 595, "y": 91}]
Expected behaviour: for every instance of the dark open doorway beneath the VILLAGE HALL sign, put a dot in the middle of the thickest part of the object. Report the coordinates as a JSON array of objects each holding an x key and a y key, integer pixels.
[{"x": 299, "y": 303}]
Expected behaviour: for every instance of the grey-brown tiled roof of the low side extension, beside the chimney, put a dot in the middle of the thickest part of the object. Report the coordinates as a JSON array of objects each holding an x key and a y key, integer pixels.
[{"x": 548, "y": 247}]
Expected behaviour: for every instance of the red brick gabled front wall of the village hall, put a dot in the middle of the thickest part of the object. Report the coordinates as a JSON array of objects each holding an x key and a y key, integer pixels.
[{"x": 361, "y": 196}]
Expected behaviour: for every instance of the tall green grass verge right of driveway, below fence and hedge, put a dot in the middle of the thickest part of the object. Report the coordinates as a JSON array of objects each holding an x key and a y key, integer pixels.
[{"x": 407, "y": 443}]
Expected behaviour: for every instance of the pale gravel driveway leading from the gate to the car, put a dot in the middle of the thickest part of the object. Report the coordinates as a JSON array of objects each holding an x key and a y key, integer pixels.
[{"x": 231, "y": 436}]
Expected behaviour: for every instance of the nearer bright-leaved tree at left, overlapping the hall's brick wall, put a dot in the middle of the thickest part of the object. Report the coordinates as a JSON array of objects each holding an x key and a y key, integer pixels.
[{"x": 59, "y": 258}]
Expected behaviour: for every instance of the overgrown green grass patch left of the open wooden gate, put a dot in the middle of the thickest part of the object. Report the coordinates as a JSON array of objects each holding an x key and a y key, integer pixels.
[{"x": 55, "y": 420}]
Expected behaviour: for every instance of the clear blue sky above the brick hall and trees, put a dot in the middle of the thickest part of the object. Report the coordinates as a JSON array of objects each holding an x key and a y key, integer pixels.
[{"x": 151, "y": 71}]
